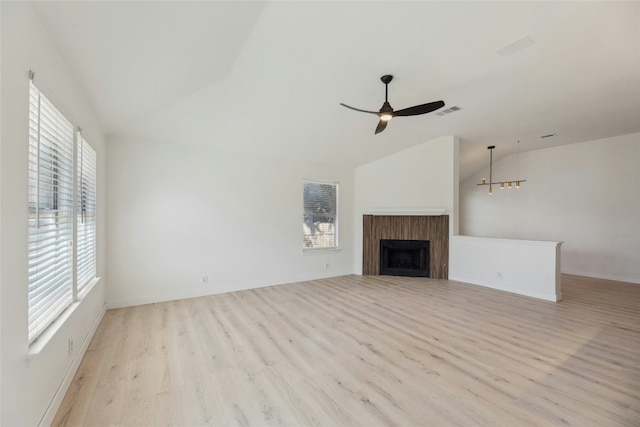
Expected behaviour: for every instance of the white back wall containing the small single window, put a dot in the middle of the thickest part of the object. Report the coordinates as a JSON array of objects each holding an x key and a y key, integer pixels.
[{"x": 179, "y": 212}]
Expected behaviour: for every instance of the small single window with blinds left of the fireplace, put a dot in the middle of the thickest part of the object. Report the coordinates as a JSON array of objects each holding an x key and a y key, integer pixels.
[{"x": 320, "y": 221}]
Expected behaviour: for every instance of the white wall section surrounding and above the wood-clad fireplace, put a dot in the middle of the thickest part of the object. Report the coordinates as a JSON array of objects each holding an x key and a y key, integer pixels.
[{"x": 418, "y": 178}]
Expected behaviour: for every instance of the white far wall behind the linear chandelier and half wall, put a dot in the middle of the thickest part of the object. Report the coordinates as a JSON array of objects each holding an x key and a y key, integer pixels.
[{"x": 586, "y": 195}]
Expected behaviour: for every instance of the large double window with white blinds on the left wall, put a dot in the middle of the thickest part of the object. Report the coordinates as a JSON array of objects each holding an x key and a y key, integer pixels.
[{"x": 62, "y": 214}]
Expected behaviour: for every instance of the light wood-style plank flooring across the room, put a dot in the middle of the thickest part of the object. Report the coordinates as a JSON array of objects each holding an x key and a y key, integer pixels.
[{"x": 368, "y": 351}]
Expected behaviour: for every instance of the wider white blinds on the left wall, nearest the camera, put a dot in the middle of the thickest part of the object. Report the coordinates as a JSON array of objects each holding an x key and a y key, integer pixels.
[{"x": 51, "y": 213}]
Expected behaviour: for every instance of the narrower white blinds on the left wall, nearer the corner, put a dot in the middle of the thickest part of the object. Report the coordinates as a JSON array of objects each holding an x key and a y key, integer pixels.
[{"x": 85, "y": 216}]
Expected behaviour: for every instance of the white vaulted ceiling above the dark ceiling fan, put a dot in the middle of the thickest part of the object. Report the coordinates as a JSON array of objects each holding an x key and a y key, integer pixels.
[{"x": 267, "y": 77}]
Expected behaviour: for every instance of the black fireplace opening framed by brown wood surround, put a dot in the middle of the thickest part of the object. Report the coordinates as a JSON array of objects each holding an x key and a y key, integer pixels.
[{"x": 404, "y": 258}]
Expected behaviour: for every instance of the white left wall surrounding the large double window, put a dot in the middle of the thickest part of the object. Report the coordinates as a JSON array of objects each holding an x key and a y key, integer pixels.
[{"x": 32, "y": 386}]
